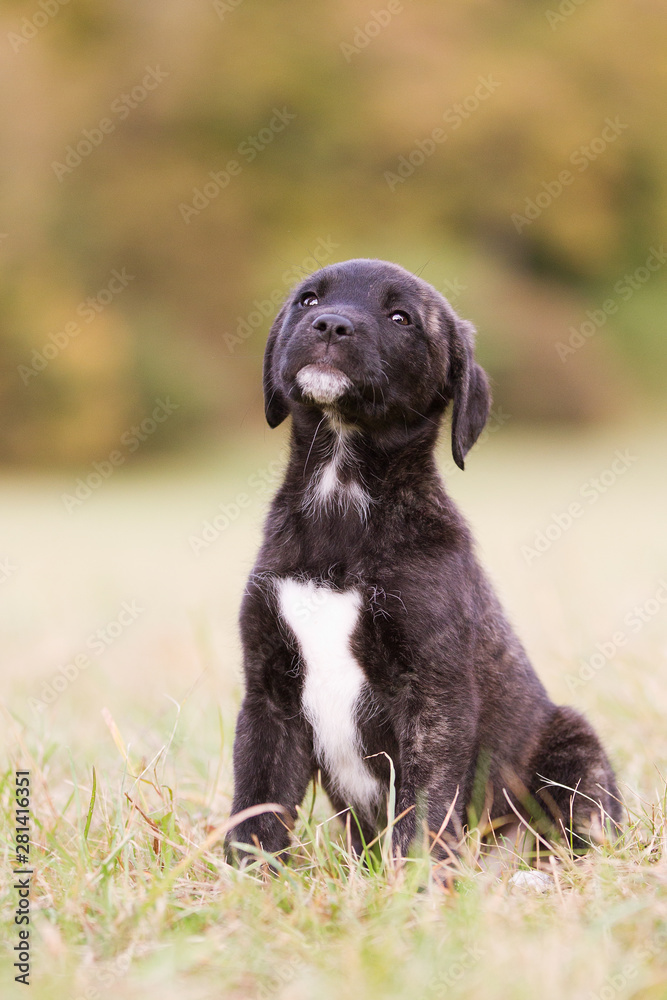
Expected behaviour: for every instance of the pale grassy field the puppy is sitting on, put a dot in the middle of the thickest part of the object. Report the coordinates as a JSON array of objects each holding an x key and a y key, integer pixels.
[{"x": 121, "y": 681}]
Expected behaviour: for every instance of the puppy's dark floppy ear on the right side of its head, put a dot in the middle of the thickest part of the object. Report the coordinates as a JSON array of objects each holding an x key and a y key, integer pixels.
[{"x": 468, "y": 386}]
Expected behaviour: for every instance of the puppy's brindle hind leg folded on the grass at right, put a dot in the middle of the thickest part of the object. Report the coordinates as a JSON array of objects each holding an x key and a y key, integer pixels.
[{"x": 573, "y": 781}]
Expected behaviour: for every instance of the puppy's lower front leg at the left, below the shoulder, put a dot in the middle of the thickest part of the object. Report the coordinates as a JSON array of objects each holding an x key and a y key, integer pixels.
[{"x": 272, "y": 763}]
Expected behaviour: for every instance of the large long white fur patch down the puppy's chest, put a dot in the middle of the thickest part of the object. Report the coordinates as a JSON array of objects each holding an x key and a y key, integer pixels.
[{"x": 323, "y": 621}]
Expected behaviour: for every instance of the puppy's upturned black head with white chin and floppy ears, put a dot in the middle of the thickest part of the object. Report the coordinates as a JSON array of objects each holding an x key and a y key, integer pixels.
[{"x": 379, "y": 347}]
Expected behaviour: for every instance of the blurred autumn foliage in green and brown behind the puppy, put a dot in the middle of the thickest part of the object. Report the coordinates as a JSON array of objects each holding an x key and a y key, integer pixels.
[{"x": 191, "y": 320}]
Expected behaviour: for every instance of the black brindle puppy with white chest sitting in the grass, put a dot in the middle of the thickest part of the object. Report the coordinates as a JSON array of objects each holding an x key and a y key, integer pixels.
[{"x": 369, "y": 630}]
